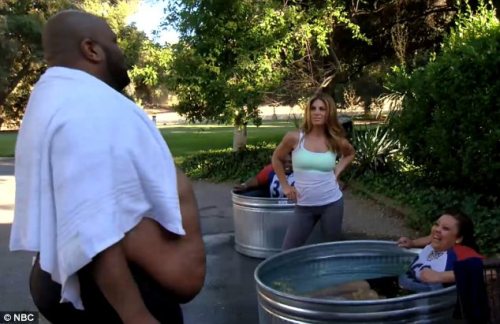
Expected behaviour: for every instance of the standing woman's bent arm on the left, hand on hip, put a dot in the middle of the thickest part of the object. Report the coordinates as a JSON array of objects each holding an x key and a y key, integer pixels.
[{"x": 284, "y": 148}]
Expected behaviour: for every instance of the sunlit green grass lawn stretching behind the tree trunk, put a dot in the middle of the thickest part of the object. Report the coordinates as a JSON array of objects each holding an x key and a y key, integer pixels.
[{"x": 185, "y": 140}]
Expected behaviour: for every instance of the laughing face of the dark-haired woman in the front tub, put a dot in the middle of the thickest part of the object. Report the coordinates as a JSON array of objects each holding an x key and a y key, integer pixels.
[{"x": 445, "y": 233}]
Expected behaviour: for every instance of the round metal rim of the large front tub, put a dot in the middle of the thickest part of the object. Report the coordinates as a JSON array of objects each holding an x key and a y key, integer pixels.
[{"x": 322, "y": 301}]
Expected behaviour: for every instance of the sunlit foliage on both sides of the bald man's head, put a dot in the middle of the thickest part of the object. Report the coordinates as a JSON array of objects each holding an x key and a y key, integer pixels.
[{"x": 21, "y": 24}]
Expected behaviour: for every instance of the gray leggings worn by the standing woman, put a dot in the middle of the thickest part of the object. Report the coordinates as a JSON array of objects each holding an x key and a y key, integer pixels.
[{"x": 304, "y": 219}]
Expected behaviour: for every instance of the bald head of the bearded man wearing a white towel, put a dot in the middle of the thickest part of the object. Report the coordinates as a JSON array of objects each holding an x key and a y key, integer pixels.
[{"x": 80, "y": 40}]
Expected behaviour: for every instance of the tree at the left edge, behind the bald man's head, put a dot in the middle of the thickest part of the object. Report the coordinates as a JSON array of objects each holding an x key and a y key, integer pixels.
[{"x": 21, "y": 24}]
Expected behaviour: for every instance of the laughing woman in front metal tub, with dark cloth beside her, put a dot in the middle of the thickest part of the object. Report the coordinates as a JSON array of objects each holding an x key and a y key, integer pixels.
[{"x": 449, "y": 256}]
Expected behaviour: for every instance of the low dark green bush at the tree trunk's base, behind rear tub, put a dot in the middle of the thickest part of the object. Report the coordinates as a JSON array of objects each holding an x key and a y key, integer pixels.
[{"x": 225, "y": 165}]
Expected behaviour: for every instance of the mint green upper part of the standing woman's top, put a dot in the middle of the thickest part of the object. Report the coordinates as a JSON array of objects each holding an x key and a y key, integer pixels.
[{"x": 305, "y": 160}]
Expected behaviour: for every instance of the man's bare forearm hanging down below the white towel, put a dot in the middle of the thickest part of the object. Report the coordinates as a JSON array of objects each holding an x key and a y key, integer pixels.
[{"x": 112, "y": 275}]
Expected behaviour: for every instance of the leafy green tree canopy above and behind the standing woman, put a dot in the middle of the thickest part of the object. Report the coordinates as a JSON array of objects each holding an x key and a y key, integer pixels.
[{"x": 232, "y": 56}]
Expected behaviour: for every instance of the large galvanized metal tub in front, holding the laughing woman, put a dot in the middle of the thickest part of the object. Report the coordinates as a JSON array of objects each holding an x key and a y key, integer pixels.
[{"x": 282, "y": 278}]
